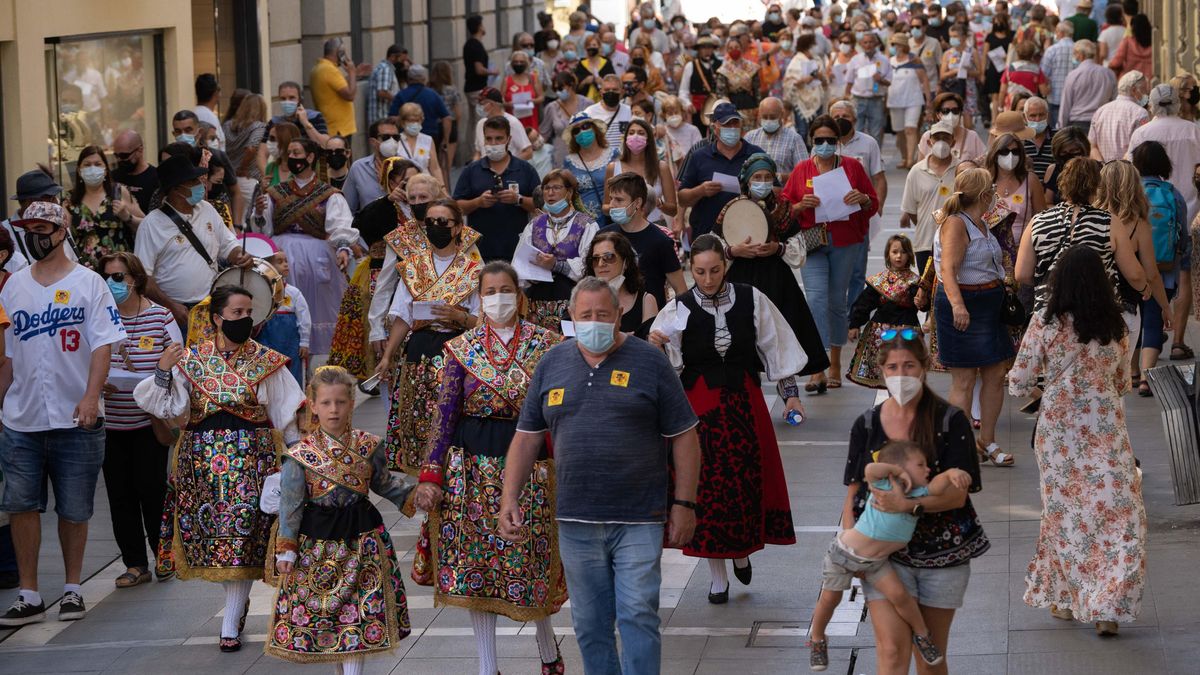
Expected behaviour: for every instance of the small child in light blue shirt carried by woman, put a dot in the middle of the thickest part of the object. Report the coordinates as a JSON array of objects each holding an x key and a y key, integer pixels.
[{"x": 865, "y": 549}]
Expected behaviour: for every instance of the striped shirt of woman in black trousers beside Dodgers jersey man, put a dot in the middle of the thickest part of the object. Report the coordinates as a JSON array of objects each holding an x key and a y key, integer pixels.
[{"x": 149, "y": 333}]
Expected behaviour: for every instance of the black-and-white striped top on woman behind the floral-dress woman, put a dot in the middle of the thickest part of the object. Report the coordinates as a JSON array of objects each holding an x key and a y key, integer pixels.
[{"x": 1053, "y": 235}]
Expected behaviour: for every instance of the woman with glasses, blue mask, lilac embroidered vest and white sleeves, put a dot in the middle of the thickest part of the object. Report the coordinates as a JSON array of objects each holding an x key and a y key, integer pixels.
[{"x": 563, "y": 235}]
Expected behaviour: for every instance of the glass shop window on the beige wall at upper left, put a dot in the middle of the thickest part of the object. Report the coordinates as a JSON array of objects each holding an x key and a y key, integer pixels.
[{"x": 100, "y": 87}]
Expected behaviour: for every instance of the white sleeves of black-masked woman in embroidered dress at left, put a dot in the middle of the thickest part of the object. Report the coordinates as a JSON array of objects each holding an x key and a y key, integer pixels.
[{"x": 279, "y": 393}]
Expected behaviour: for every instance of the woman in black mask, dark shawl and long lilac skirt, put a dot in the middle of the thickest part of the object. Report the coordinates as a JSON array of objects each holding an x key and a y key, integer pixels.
[{"x": 311, "y": 224}]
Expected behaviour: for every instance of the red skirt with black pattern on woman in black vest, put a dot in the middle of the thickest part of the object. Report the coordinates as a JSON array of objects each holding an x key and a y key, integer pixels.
[{"x": 742, "y": 503}]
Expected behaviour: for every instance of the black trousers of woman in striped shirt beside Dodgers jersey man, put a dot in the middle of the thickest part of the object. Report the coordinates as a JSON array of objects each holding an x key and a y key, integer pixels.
[{"x": 136, "y": 482}]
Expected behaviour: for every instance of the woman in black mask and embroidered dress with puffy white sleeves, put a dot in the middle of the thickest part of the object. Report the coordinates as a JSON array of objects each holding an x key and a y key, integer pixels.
[{"x": 242, "y": 407}]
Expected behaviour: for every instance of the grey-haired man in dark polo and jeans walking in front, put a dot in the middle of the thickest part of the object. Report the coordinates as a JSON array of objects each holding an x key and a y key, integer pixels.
[{"x": 613, "y": 405}]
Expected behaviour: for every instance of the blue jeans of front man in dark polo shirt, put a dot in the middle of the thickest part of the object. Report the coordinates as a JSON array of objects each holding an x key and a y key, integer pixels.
[{"x": 614, "y": 575}]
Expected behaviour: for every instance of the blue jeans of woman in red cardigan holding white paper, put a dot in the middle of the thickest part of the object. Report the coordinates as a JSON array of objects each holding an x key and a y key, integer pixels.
[{"x": 826, "y": 279}]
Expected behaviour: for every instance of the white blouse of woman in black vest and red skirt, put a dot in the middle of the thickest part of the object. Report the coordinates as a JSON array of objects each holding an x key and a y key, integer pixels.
[{"x": 777, "y": 345}]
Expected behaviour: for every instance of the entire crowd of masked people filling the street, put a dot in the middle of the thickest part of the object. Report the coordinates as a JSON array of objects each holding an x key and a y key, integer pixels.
[{"x": 610, "y": 230}]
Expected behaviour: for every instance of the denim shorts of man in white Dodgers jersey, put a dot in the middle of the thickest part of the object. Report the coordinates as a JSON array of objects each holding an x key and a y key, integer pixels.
[{"x": 70, "y": 458}]
